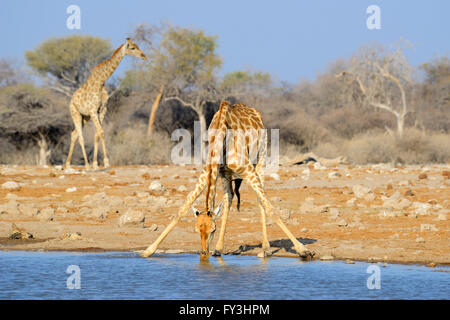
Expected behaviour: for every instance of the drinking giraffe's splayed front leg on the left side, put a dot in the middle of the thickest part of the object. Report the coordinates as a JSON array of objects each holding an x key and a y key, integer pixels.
[{"x": 200, "y": 186}]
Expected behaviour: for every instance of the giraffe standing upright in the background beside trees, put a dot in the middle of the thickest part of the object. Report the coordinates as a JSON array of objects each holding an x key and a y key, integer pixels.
[{"x": 89, "y": 102}]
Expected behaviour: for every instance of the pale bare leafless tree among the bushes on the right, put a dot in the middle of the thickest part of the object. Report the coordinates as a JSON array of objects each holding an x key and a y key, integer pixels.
[{"x": 382, "y": 77}]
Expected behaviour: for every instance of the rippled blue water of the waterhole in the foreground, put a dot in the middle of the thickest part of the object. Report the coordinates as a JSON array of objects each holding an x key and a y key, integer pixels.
[{"x": 123, "y": 275}]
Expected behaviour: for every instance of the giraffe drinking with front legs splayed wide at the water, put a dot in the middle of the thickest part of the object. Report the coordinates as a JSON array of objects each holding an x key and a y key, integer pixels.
[{"x": 244, "y": 144}]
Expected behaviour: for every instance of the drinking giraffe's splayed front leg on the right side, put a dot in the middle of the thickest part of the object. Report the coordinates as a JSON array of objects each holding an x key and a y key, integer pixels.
[{"x": 252, "y": 178}]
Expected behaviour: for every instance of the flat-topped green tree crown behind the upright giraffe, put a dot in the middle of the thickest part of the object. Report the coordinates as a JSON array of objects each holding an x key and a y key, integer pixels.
[{"x": 65, "y": 63}]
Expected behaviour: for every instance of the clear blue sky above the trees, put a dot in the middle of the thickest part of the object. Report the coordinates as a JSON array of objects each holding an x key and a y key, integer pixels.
[{"x": 290, "y": 39}]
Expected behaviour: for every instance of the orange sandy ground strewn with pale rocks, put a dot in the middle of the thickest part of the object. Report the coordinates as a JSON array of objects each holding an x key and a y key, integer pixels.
[{"x": 372, "y": 213}]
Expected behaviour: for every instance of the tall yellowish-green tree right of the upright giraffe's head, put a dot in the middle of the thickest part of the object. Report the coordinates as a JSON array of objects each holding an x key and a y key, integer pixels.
[{"x": 182, "y": 68}]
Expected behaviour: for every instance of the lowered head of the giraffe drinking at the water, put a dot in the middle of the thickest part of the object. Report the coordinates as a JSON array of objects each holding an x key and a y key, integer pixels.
[{"x": 206, "y": 226}]
